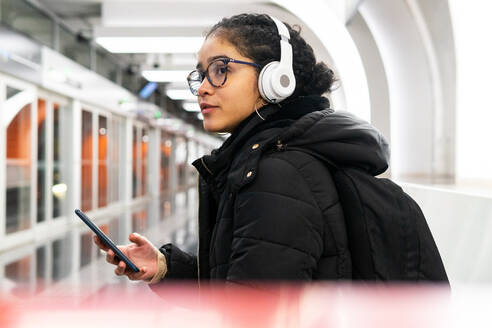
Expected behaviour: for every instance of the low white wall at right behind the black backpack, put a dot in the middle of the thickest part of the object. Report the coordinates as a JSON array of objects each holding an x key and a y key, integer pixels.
[{"x": 461, "y": 223}]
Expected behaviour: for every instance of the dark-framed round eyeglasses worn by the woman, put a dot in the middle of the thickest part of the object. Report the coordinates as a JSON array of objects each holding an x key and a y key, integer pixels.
[{"x": 216, "y": 73}]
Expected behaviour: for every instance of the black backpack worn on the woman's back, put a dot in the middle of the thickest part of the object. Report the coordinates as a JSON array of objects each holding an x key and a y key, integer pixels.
[{"x": 388, "y": 236}]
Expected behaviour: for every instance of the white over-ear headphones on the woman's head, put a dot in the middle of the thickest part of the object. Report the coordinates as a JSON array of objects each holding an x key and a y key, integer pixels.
[{"x": 277, "y": 81}]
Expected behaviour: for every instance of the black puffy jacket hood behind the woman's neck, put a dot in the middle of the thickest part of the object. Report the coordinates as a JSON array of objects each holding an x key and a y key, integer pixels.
[{"x": 340, "y": 137}]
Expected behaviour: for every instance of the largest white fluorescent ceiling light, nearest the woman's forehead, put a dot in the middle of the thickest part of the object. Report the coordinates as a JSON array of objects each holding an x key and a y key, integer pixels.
[{"x": 169, "y": 44}]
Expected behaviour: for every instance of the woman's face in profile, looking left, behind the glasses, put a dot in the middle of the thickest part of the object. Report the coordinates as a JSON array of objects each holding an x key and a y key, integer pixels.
[{"x": 224, "y": 107}]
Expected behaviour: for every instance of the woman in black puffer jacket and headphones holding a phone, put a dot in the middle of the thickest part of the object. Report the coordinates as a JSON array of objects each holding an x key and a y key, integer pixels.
[{"x": 265, "y": 213}]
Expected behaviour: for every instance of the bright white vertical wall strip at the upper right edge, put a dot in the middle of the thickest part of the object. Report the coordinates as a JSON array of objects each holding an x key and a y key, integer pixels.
[{"x": 472, "y": 27}]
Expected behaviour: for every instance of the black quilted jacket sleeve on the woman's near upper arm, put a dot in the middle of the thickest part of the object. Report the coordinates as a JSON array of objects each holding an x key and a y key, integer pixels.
[{"x": 278, "y": 226}]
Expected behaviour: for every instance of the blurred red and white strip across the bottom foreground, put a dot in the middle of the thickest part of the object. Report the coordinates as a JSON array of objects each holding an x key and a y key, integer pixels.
[{"x": 321, "y": 305}]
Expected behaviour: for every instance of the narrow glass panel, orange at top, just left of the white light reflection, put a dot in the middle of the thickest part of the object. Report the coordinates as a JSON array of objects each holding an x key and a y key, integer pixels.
[{"x": 40, "y": 191}]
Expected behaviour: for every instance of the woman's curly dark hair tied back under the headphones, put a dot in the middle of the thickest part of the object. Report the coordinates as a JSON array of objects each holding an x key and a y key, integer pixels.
[{"x": 255, "y": 36}]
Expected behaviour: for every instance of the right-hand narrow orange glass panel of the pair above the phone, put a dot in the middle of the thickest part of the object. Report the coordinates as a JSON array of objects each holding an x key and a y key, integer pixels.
[{"x": 103, "y": 162}]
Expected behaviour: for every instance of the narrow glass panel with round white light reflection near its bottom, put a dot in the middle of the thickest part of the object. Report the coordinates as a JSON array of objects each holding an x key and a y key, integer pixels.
[{"x": 59, "y": 187}]
